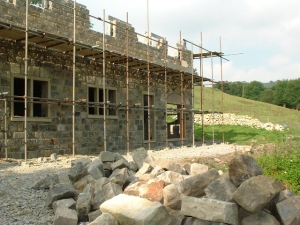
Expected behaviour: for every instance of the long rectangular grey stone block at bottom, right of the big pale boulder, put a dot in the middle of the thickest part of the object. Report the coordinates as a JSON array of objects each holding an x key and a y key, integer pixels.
[{"x": 210, "y": 209}]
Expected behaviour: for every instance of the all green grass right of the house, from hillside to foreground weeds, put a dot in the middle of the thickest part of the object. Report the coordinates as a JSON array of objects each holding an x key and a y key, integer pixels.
[{"x": 283, "y": 161}]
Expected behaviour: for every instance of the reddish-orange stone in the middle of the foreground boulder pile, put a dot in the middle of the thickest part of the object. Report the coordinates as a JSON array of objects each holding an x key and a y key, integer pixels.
[{"x": 150, "y": 189}]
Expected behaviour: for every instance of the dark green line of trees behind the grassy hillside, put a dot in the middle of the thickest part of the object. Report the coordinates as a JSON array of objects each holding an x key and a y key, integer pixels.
[{"x": 284, "y": 93}]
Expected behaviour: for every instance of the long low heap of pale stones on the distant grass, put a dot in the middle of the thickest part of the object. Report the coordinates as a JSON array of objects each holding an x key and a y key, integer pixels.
[{"x": 232, "y": 119}]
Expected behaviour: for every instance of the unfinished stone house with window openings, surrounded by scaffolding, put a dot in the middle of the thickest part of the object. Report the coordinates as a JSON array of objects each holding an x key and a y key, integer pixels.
[{"x": 121, "y": 90}]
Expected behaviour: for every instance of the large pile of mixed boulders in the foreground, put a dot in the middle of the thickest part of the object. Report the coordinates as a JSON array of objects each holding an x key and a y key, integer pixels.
[{"x": 147, "y": 191}]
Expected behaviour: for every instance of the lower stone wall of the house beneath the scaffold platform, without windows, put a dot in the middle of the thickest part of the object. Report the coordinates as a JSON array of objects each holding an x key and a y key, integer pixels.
[{"x": 55, "y": 135}]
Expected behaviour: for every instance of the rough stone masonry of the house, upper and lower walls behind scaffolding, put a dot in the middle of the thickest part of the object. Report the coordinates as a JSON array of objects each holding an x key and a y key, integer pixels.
[{"x": 49, "y": 127}]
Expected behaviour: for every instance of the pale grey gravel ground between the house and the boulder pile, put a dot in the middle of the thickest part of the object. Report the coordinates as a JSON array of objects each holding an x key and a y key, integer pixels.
[{"x": 20, "y": 204}]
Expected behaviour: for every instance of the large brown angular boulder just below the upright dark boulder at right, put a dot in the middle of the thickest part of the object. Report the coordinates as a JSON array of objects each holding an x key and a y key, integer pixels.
[{"x": 254, "y": 194}]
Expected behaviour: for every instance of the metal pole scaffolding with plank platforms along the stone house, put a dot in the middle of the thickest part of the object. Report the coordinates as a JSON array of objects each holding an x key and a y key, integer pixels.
[{"x": 79, "y": 49}]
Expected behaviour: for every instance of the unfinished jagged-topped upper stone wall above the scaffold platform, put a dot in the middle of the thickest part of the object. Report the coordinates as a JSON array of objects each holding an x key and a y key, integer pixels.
[{"x": 57, "y": 19}]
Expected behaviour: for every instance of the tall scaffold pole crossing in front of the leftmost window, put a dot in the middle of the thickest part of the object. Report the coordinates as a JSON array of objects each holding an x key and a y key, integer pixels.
[{"x": 25, "y": 83}]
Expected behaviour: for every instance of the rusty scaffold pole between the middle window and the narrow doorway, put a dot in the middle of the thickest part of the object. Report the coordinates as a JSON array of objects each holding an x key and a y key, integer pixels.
[{"x": 127, "y": 87}]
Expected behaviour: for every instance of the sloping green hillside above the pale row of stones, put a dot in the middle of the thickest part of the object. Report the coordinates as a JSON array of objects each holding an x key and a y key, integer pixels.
[{"x": 240, "y": 106}]
